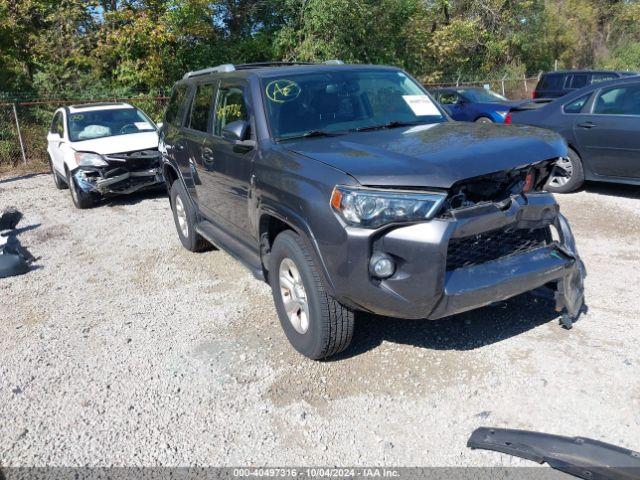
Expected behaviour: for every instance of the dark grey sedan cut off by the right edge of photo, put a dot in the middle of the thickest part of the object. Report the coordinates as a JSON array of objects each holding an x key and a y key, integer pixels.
[{"x": 601, "y": 124}]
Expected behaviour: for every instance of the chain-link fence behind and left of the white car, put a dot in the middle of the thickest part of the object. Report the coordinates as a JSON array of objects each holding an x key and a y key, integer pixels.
[{"x": 24, "y": 127}]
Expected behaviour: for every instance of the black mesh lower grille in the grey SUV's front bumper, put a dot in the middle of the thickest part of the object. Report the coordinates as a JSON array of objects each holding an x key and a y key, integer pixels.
[{"x": 492, "y": 245}]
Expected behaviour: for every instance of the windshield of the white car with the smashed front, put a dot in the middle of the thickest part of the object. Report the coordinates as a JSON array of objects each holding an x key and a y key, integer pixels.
[{"x": 107, "y": 123}]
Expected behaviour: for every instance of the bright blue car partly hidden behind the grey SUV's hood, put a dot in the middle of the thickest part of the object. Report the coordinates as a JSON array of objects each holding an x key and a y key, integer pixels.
[{"x": 474, "y": 104}]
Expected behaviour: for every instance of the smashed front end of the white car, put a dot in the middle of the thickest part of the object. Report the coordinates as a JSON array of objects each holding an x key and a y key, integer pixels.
[{"x": 121, "y": 173}]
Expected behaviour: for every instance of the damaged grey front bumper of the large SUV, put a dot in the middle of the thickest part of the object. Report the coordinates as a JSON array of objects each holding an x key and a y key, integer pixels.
[{"x": 423, "y": 287}]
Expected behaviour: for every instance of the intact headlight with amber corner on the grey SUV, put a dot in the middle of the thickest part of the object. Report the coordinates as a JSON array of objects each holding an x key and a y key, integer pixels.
[{"x": 372, "y": 208}]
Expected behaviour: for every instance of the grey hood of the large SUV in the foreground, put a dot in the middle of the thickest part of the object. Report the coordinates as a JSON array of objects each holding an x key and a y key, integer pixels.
[{"x": 436, "y": 155}]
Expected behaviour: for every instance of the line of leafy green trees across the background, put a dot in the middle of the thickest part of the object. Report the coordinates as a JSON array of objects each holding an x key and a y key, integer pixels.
[{"x": 61, "y": 47}]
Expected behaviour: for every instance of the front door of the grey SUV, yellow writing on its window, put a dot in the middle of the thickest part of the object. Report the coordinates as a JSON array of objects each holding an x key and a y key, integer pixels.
[{"x": 232, "y": 164}]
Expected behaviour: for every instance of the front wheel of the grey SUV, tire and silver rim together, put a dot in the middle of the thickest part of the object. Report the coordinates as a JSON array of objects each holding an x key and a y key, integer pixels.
[{"x": 315, "y": 324}]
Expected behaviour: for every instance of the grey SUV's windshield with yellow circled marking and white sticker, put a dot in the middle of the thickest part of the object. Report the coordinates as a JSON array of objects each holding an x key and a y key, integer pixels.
[{"x": 340, "y": 101}]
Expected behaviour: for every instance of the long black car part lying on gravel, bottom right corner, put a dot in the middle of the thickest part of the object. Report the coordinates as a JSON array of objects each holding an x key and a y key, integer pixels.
[{"x": 578, "y": 456}]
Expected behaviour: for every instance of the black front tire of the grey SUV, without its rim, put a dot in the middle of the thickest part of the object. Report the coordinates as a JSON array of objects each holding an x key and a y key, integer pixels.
[{"x": 330, "y": 324}]
